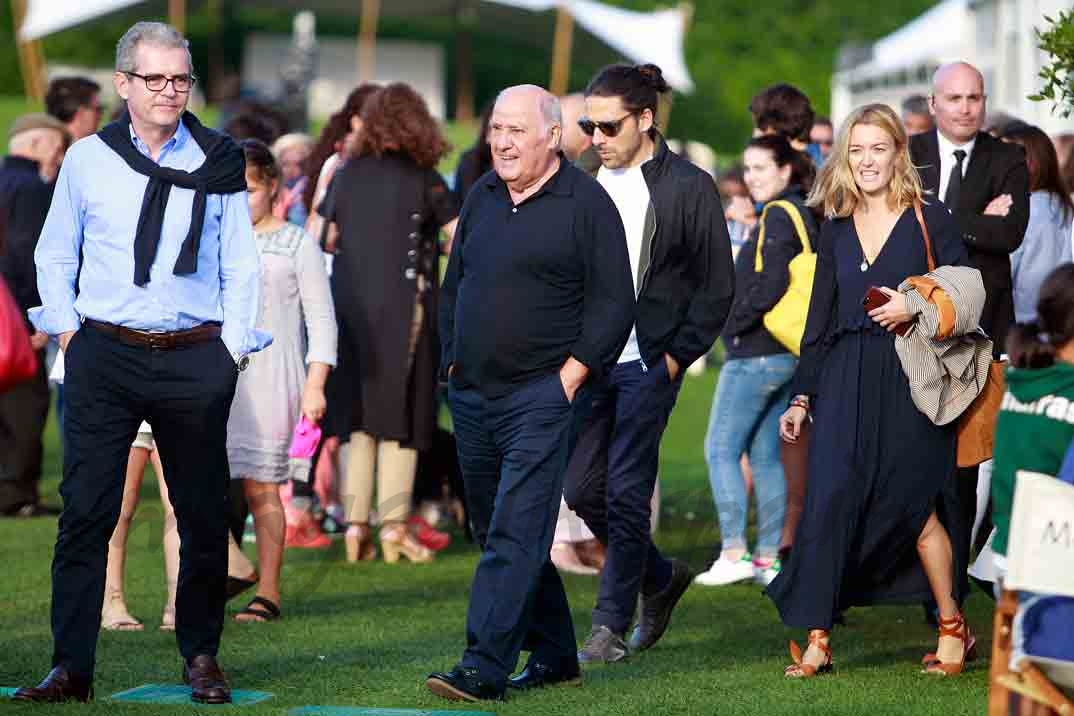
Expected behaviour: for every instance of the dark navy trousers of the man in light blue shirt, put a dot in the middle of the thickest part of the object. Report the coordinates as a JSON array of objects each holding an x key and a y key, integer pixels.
[{"x": 185, "y": 394}]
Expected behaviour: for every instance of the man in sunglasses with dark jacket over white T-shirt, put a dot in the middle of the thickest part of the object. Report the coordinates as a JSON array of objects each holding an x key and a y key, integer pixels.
[{"x": 685, "y": 282}]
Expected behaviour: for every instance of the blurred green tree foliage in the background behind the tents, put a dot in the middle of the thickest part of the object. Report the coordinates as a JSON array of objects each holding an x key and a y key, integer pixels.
[{"x": 734, "y": 49}]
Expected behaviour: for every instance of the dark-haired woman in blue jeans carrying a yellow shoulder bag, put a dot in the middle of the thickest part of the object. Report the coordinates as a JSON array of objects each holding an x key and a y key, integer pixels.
[{"x": 756, "y": 382}]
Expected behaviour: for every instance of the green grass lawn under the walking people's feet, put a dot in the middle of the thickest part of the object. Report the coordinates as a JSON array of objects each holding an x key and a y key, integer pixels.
[{"x": 369, "y": 635}]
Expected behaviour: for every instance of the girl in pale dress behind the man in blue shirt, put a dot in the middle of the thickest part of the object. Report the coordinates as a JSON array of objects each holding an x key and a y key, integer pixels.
[{"x": 279, "y": 388}]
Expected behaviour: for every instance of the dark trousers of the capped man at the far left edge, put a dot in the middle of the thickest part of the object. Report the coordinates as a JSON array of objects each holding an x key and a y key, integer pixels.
[{"x": 24, "y": 412}]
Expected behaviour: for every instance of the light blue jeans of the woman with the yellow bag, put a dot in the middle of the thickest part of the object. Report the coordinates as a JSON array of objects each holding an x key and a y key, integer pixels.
[{"x": 751, "y": 397}]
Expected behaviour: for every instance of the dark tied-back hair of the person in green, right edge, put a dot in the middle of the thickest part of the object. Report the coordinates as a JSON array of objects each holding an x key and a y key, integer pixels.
[{"x": 1035, "y": 345}]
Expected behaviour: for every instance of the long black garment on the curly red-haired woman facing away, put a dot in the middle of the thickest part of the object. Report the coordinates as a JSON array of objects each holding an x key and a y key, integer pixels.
[{"x": 389, "y": 212}]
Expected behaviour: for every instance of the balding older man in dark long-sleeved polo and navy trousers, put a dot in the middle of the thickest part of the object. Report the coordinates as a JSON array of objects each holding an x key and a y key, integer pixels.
[{"x": 539, "y": 301}]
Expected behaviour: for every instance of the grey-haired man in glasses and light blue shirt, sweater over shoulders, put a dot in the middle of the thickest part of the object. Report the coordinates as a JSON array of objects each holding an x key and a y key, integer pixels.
[{"x": 149, "y": 276}]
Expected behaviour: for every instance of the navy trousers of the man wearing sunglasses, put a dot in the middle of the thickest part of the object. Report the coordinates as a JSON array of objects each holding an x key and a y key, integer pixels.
[{"x": 611, "y": 485}]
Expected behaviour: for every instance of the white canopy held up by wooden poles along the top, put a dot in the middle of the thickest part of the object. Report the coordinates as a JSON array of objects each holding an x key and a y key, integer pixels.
[{"x": 656, "y": 37}]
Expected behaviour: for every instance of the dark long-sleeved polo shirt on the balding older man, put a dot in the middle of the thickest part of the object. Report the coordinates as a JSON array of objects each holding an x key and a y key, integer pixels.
[{"x": 531, "y": 285}]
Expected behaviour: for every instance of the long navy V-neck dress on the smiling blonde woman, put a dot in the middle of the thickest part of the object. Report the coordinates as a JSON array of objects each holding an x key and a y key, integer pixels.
[{"x": 878, "y": 466}]
